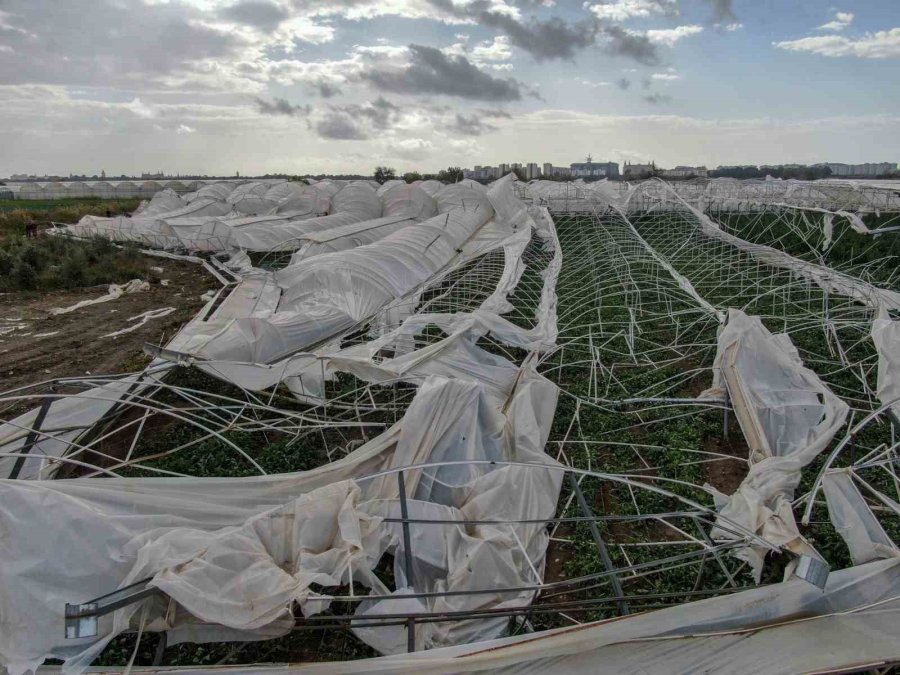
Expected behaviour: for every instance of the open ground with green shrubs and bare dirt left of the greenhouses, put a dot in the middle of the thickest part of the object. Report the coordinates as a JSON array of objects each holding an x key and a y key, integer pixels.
[{"x": 47, "y": 272}]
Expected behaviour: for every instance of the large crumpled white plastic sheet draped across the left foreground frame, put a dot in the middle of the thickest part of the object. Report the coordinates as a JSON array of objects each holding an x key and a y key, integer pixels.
[{"x": 214, "y": 544}]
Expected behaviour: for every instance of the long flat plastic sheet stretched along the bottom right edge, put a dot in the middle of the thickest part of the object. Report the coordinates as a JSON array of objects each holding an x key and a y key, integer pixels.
[{"x": 788, "y": 627}]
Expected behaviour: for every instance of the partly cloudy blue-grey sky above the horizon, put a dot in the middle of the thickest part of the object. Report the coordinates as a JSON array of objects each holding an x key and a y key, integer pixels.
[{"x": 340, "y": 86}]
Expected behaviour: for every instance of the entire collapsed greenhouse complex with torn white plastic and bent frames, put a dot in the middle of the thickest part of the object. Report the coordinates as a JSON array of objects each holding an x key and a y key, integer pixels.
[{"x": 529, "y": 426}]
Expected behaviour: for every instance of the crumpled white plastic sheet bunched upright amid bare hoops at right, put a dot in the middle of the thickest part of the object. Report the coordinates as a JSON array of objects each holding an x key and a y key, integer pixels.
[{"x": 787, "y": 415}]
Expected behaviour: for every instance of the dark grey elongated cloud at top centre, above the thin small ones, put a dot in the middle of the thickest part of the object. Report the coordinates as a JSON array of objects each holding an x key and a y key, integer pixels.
[{"x": 430, "y": 71}]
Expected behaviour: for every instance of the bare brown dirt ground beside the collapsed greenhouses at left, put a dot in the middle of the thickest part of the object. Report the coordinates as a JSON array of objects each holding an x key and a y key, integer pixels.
[{"x": 44, "y": 346}]
